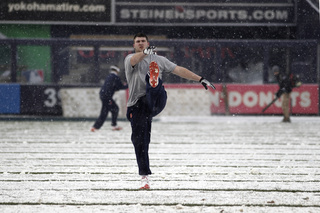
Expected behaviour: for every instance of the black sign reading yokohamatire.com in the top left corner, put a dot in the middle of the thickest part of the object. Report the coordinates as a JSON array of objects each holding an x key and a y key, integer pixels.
[{"x": 55, "y": 11}]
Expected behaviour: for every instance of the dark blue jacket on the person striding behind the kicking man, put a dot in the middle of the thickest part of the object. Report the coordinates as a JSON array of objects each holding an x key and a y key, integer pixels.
[{"x": 111, "y": 85}]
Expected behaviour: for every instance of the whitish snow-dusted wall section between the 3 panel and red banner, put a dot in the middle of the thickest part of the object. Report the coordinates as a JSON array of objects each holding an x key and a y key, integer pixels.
[{"x": 85, "y": 102}]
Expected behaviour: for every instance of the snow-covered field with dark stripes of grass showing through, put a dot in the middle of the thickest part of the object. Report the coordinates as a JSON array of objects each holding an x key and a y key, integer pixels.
[{"x": 204, "y": 164}]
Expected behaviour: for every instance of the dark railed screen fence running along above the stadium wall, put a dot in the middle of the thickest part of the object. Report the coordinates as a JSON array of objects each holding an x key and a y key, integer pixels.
[{"x": 221, "y": 61}]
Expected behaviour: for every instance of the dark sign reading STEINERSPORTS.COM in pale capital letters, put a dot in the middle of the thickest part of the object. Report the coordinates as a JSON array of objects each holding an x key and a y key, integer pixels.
[{"x": 206, "y": 13}]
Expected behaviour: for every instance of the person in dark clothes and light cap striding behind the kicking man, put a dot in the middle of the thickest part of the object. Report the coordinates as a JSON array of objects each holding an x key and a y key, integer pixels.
[{"x": 111, "y": 85}]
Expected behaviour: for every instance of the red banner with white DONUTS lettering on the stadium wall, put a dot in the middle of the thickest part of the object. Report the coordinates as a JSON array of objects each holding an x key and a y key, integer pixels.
[{"x": 251, "y": 99}]
